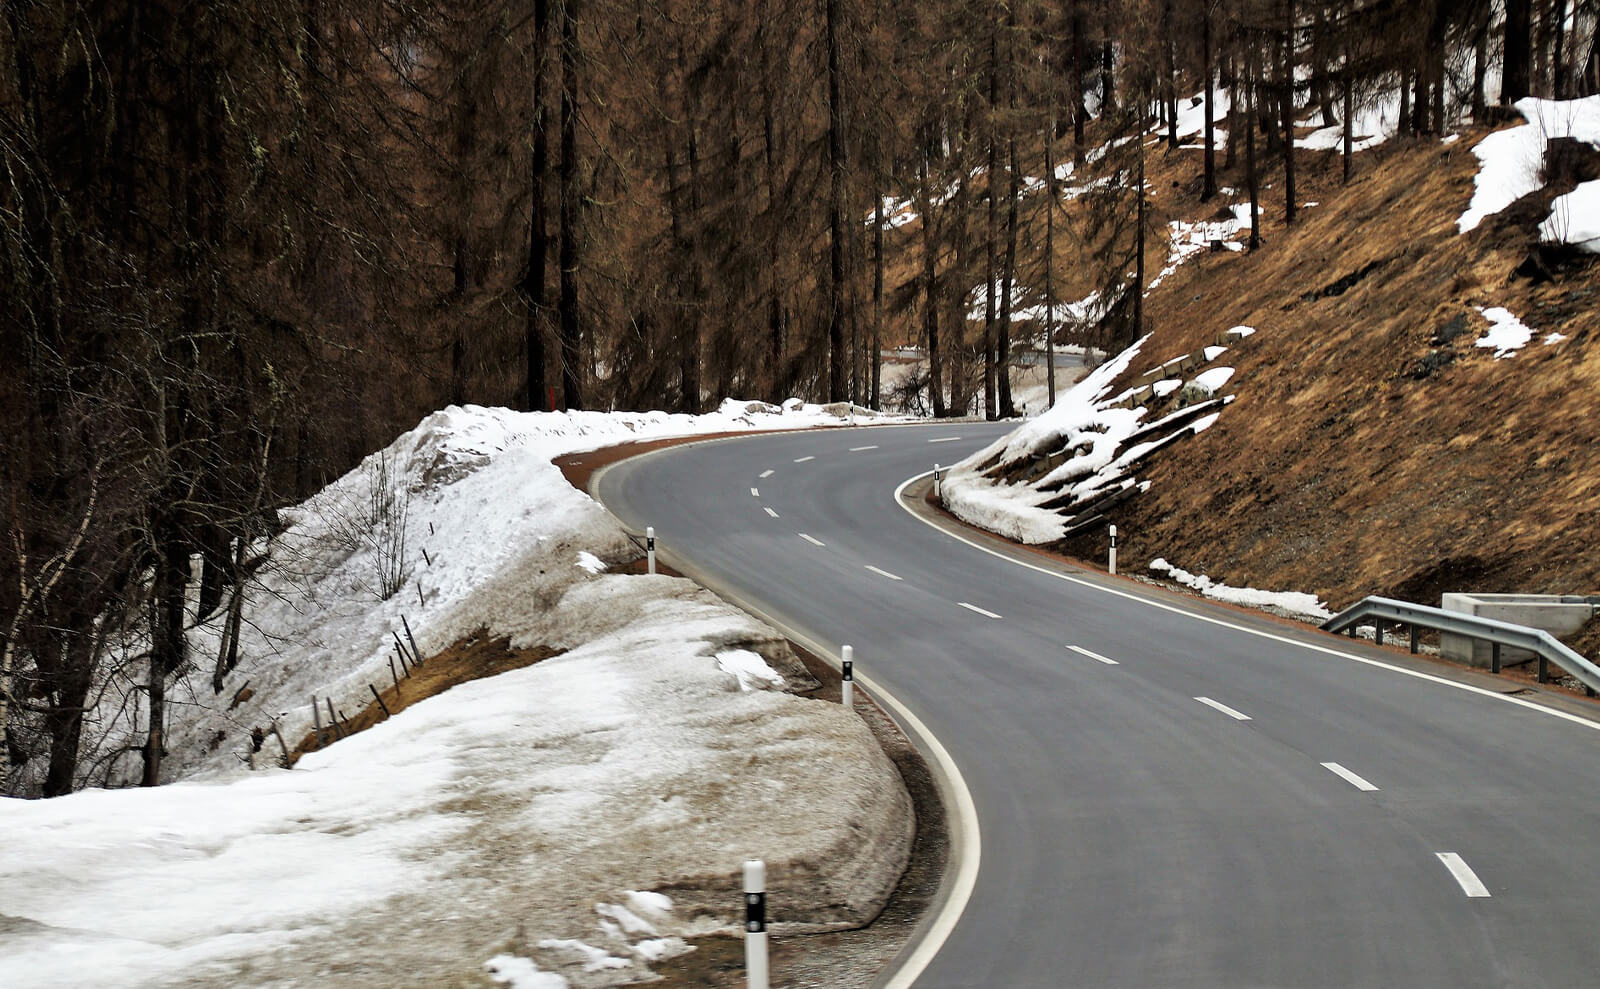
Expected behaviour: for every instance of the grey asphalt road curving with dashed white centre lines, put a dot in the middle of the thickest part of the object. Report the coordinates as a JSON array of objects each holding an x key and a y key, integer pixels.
[{"x": 1134, "y": 830}]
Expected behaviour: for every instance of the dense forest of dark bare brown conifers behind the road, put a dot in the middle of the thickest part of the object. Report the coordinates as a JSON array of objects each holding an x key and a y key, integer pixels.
[{"x": 242, "y": 244}]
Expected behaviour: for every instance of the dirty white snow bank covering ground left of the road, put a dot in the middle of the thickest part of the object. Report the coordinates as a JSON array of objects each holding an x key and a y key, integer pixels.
[{"x": 575, "y": 819}]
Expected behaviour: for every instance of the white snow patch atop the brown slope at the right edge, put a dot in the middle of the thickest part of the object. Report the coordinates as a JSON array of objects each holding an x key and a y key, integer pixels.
[{"x": 1513, "y": 161}]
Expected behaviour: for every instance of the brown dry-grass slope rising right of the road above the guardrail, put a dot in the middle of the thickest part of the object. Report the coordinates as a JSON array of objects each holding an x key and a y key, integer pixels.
[{"x": 1374, "y": 449}]
